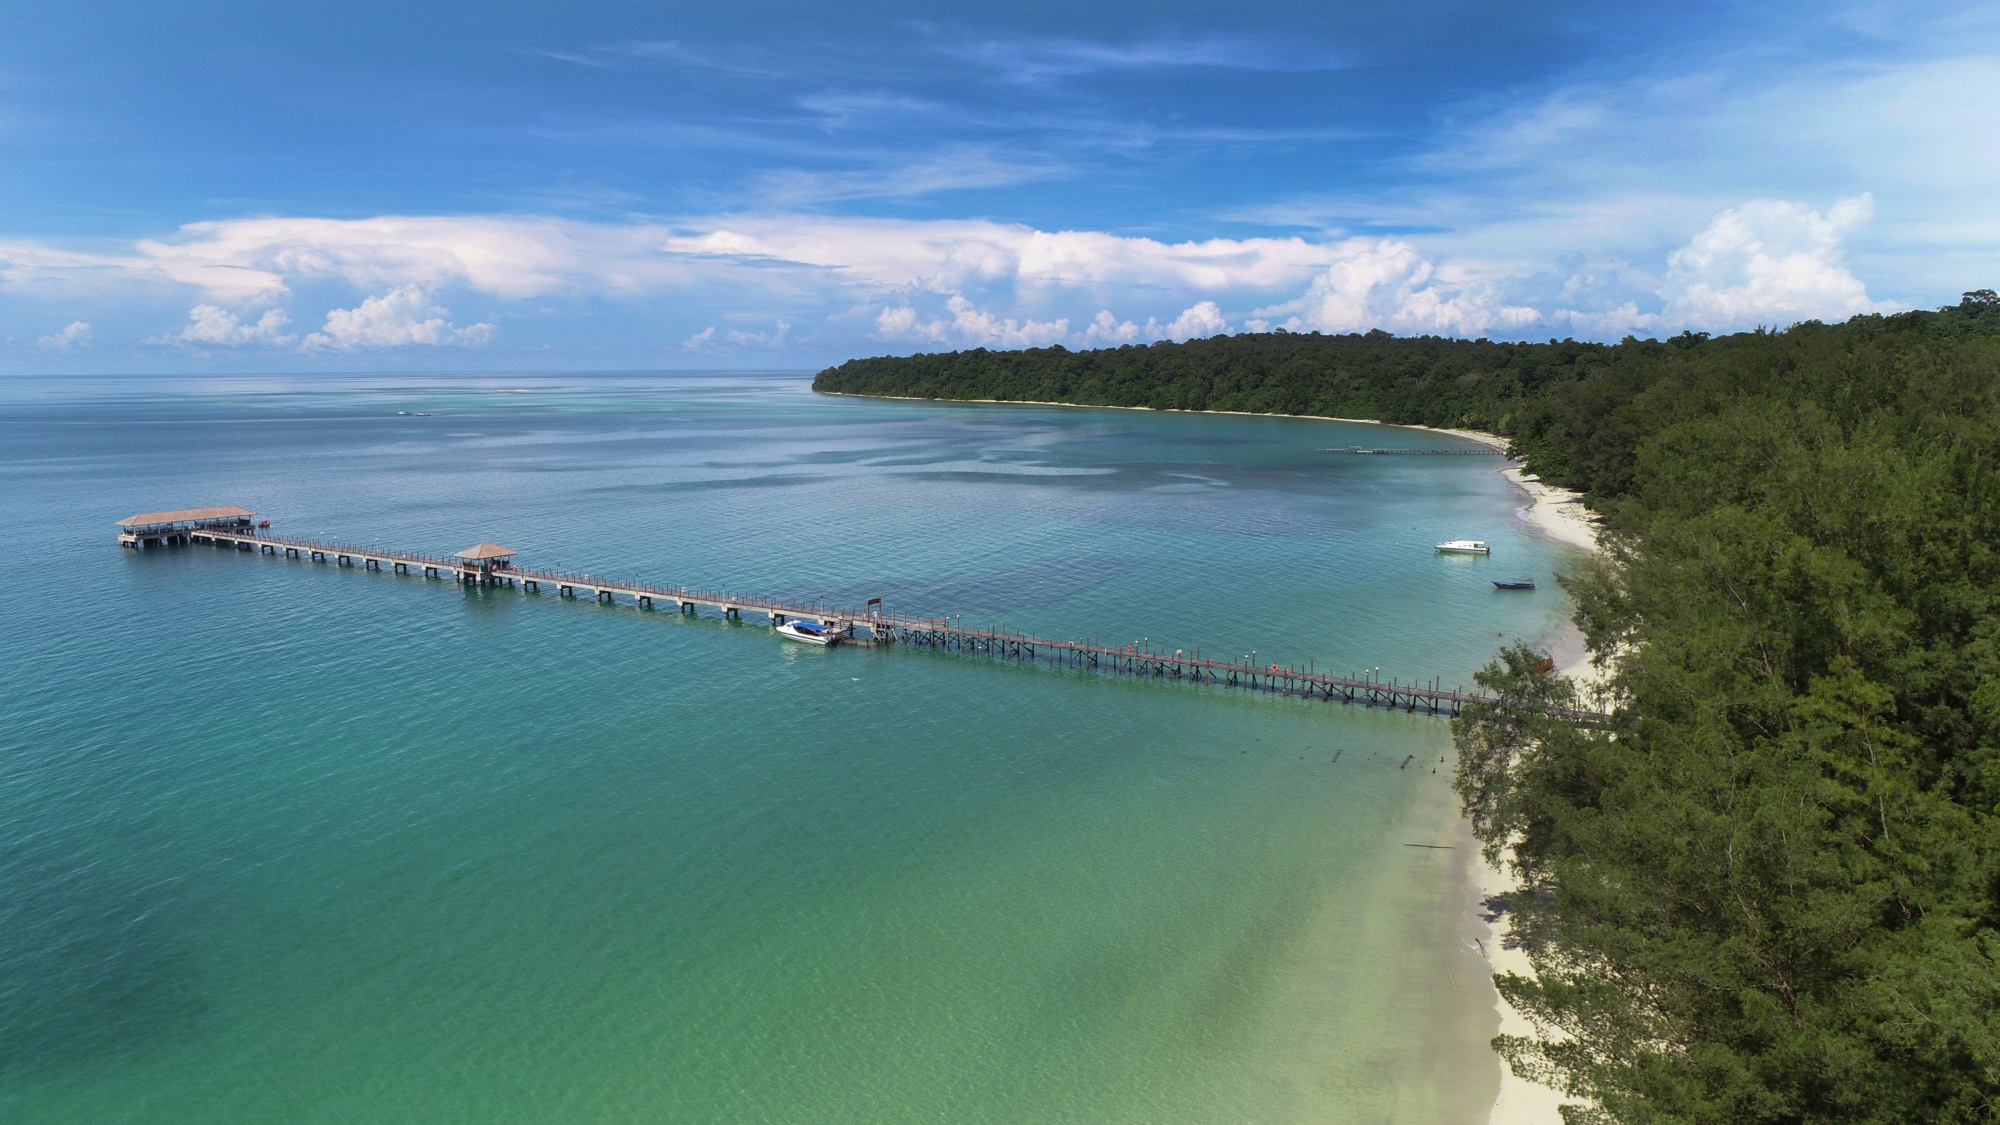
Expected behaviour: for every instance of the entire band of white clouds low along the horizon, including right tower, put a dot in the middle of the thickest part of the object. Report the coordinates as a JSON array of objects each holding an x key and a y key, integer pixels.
[{"x": 967, "y": 283}]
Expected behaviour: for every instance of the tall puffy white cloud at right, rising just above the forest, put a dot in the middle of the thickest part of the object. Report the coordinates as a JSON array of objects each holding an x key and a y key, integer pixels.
[{"x": 1769, "y": 263}]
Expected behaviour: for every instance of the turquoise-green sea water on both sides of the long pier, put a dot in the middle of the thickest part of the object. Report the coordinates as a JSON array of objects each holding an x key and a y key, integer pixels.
[{"x": 295, "y": 844}]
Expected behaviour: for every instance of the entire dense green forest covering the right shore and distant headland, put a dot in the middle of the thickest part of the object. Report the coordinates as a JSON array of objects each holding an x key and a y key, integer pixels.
[{"x": 1769, "y": 890}]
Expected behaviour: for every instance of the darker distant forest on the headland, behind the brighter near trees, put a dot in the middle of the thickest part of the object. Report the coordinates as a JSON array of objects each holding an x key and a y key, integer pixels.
[{"x": 1573, "y": 409}]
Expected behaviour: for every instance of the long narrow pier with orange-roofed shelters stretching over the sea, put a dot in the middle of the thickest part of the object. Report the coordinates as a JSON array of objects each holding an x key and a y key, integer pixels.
[{"x": 493, "y": 566}]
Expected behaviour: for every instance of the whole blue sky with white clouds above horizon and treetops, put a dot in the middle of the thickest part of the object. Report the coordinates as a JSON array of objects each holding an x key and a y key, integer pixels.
[{"x": 251, "y": 187}]
